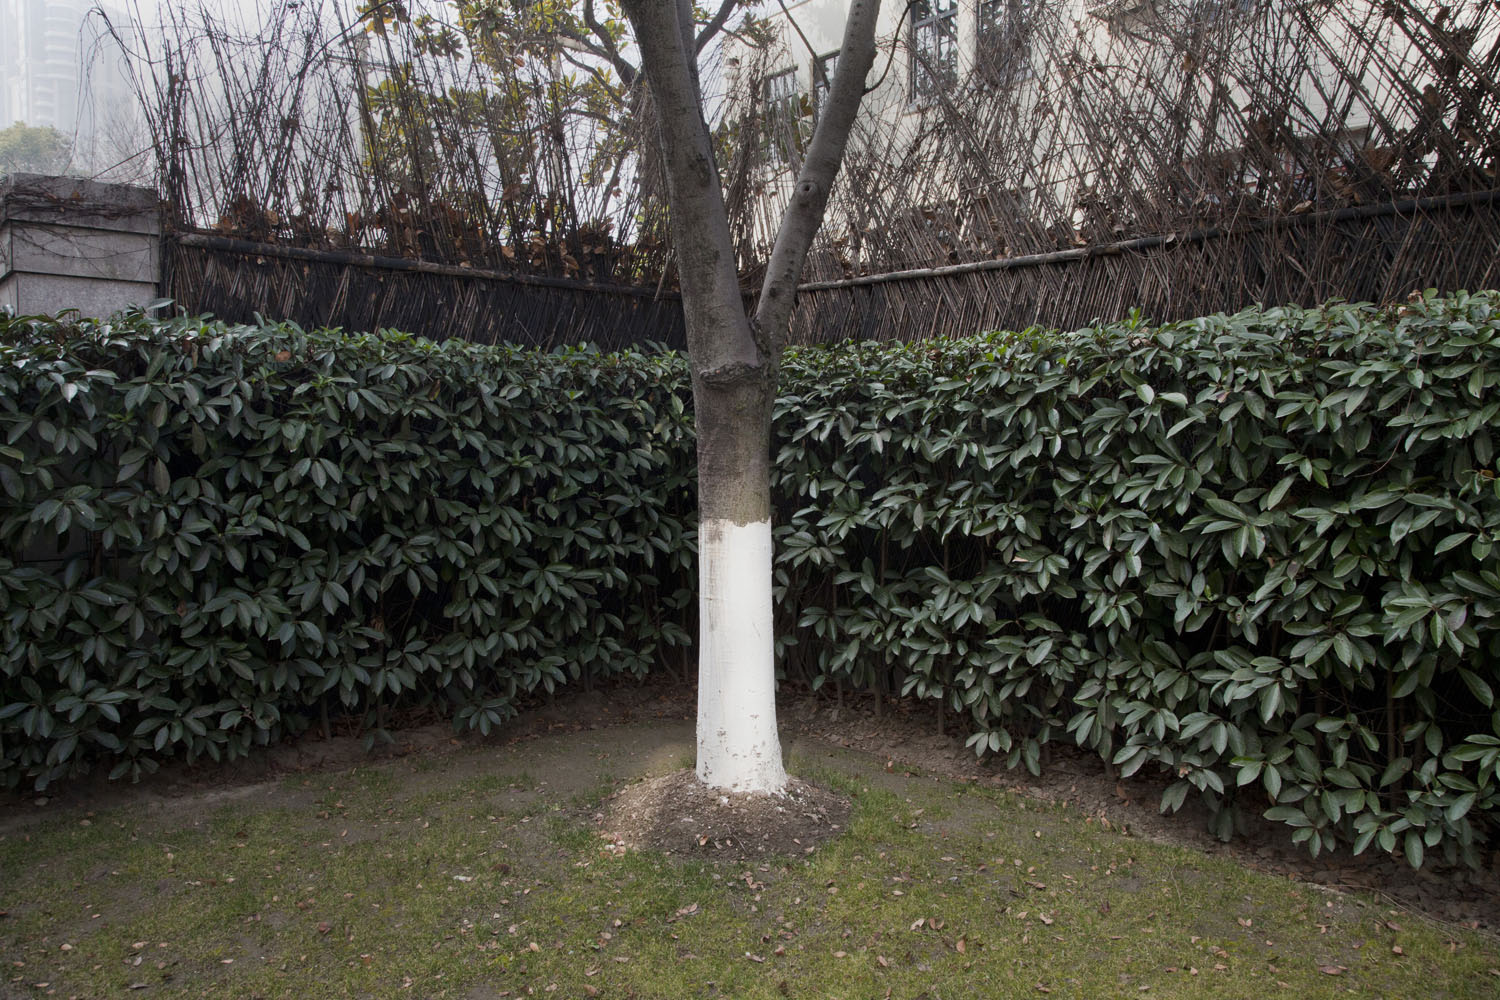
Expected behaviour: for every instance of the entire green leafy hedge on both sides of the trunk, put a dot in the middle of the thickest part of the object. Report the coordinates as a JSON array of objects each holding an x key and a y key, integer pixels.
[{"x": 1255, "y": 551}]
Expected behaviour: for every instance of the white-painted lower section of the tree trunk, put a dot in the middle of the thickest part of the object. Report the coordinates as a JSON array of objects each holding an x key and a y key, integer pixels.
[{"x": 739, "y": 747}]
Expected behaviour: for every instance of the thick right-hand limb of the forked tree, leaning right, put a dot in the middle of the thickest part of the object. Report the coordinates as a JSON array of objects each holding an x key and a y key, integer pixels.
[{"x": 820, "y": 169}]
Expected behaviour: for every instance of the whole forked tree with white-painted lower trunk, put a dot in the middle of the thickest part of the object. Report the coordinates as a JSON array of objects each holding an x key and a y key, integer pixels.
[{"x": 734, "y": 373}]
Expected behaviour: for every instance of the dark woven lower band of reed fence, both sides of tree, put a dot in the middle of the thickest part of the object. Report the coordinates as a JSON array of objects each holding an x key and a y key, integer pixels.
[{"x": 1370, "y": 253}]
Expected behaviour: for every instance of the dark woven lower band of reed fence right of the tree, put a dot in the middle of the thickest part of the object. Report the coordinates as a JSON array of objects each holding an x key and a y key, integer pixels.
[{"x": 1372, "y": 253}]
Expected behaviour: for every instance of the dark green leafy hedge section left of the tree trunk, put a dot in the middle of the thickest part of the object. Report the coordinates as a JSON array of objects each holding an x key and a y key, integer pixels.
[{"x": 215, "y": 534}]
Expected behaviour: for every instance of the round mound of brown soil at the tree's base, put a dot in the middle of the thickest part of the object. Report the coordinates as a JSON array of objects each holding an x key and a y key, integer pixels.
[{"x": 682, "y": 816}]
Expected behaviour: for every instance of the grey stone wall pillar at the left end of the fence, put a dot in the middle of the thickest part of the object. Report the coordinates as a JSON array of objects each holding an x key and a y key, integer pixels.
[{"x": 73, "y": 244}]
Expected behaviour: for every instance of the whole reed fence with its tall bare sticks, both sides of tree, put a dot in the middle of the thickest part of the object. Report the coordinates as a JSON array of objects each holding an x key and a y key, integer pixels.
[{"x": 1279, "y": 152}]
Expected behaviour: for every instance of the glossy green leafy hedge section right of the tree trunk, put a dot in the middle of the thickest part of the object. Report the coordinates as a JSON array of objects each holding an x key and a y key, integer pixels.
[{"x": 1250, "y": 551}]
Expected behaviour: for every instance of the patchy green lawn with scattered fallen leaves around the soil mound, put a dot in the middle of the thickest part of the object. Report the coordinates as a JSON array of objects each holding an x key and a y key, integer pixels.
[{"x": 487, "y": 878}]
